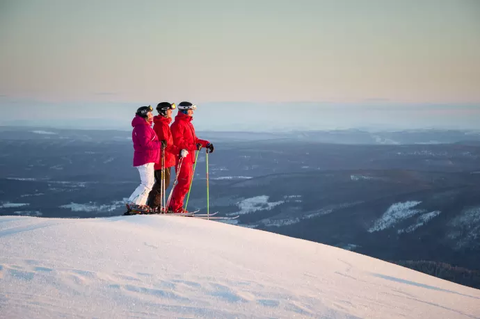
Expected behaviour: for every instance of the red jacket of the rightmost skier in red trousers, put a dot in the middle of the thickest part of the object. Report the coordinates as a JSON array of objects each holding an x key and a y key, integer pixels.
[{"x": 184, "y": 136}]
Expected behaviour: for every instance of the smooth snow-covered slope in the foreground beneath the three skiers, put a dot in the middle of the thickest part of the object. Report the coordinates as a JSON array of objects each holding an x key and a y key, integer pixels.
[{"x": 175, "y": 267}]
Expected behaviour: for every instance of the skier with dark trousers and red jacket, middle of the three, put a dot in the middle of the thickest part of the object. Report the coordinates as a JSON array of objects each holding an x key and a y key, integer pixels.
[{"x": 169, "y": 153}]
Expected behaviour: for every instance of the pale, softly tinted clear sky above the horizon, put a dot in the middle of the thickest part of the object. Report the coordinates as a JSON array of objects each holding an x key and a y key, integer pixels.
[{"x": 263, "y": 53}]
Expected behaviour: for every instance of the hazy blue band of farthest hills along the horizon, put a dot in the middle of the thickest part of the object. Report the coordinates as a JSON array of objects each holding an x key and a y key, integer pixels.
[{"x": 349, "y": 136}]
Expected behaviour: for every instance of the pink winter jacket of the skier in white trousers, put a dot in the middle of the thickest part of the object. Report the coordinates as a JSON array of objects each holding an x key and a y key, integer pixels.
[{"x": 145, "y": 142}]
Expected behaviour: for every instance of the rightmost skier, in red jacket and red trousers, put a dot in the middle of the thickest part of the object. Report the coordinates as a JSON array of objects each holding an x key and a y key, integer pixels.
[{"x": 187, "y": 142}]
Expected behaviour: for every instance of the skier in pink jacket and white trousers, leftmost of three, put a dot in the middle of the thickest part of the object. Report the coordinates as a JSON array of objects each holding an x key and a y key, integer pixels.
[{"x": 147, "y": 152}]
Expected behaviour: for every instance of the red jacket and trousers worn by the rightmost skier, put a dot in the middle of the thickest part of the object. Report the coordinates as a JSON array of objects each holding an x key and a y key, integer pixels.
[{"x": 184, "y": 138}]
